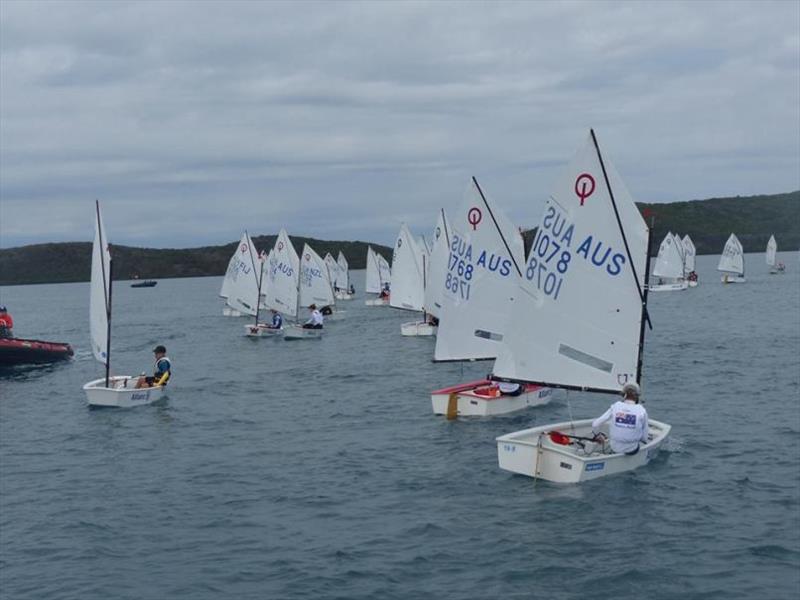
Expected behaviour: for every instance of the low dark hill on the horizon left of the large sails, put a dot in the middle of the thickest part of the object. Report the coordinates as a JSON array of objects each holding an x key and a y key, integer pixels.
[{"x": 71, "y": 261}]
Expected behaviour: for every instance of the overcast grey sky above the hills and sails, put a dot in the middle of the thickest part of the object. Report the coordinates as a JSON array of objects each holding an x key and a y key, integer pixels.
[{"x": 191, "y": 121}]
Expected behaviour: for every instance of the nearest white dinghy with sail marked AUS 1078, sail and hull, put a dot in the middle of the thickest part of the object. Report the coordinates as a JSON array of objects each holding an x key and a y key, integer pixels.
[{"x": 580, "y": 315}]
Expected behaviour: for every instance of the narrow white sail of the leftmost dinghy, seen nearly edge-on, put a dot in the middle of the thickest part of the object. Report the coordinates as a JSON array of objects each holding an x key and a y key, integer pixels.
[{"x": 99, "y": 305}]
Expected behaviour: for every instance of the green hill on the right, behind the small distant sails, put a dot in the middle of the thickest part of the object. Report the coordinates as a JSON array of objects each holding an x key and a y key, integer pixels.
[{"x": 709, "y": 222}]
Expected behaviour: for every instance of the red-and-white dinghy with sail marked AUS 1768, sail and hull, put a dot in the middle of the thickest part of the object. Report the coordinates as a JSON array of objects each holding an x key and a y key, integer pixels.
[{"x": 483, "y": 268}]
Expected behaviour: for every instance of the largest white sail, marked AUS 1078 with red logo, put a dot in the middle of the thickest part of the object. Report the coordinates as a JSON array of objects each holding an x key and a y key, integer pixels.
[{"x": 578, "y": 314}]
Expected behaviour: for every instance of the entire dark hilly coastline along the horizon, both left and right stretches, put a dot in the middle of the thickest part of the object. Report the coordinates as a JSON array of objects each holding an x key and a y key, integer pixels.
[{"x": 709, "y": 223}]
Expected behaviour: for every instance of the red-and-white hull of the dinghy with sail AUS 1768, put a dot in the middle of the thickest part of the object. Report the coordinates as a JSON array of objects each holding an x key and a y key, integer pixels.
[{"x": 481, "y": 399}]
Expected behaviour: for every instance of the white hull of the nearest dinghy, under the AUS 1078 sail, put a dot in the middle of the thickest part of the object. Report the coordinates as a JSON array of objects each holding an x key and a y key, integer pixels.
[{"x": 531, "y": 452}]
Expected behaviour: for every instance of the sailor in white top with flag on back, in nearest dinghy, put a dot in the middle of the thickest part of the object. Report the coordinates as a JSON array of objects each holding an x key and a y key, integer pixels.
[{"x": 628, "y": 425}]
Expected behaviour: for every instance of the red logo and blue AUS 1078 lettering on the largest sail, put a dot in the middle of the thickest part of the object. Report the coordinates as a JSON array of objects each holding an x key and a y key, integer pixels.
[{"x": 557, "y": 243}]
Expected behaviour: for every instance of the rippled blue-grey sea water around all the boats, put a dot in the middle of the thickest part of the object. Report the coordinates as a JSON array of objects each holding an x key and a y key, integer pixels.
[{"x": 317, "y": 470}]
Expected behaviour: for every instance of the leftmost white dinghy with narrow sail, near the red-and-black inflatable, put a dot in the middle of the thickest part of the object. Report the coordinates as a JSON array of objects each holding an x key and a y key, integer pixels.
[{"x": 117, "y": 390}]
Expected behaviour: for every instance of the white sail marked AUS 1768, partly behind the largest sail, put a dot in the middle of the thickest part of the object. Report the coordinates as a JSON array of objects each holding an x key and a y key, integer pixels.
[{"x": 483, "y": 271}]
